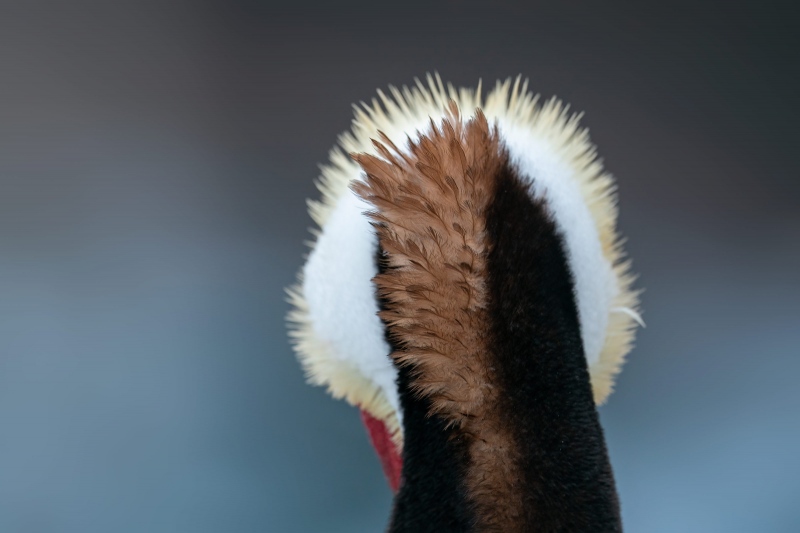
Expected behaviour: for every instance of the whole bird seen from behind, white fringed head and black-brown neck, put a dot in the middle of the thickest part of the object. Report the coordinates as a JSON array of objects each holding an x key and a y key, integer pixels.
[{"x": 468, "y": 293}]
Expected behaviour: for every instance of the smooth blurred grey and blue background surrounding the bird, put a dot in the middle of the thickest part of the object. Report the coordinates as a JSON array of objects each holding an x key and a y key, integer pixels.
[{"x": 155, "y": 157}]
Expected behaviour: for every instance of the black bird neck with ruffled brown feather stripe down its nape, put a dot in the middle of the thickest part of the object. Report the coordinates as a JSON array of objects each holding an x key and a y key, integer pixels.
[{"x": 500, "y": 429}]
